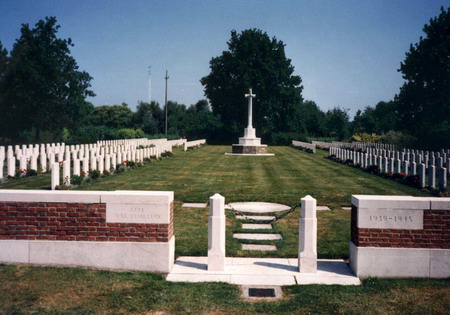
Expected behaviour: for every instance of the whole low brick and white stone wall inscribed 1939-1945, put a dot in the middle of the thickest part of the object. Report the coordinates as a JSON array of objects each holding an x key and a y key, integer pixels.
[{"x": 400, "y": 236}]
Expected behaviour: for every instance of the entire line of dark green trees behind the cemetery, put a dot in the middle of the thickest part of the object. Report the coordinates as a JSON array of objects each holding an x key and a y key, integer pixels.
[{"x": 43, "y": 97}]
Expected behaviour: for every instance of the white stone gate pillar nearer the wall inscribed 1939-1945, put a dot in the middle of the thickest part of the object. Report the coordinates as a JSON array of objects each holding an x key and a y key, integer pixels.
[{"x": 307, "y": 251}]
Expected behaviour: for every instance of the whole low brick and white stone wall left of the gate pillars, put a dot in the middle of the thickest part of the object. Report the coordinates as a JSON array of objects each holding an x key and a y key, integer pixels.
[{"x": 131, "y": 230}]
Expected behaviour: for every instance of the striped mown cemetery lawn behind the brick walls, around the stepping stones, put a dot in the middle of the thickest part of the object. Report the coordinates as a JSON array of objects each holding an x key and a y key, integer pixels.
[{"x": 291, "y": 174}]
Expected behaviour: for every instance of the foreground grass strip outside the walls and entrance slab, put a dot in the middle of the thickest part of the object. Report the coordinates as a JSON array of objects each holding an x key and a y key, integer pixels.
[{"x": 46, "y": 290}]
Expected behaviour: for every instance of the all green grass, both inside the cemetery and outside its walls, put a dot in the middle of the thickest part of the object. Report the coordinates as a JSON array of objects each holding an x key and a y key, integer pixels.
[{"x": 194, "y": 176}]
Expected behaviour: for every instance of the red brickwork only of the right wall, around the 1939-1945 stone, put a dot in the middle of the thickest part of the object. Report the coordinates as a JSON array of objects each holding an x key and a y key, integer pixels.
[{"x": 435, "y": 233}]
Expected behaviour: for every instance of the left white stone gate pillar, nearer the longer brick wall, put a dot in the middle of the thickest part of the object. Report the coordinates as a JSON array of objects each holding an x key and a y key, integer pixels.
[{"x": 216, "y": 233}]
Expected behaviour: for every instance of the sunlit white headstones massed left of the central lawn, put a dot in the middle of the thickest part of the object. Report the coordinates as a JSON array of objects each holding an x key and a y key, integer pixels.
[{"x": 101, "y": 156}]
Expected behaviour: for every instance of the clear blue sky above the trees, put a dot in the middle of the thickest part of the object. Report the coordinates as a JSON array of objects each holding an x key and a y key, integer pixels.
[{"x": 347, "y": 52}]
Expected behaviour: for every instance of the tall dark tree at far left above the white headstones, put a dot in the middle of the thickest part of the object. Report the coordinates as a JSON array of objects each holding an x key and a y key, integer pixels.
[{"x": 43, "y": 89}]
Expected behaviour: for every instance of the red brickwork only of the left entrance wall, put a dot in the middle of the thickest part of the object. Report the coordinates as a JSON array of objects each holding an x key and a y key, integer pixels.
[{"x": 73, "y": 222}]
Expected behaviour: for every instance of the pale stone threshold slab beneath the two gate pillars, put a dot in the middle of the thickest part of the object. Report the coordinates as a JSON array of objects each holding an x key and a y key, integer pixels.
[{"x": 262, "y": 271}]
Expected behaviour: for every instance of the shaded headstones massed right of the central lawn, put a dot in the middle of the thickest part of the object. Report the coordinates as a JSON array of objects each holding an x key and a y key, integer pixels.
[{"x": 408, "y": 162}]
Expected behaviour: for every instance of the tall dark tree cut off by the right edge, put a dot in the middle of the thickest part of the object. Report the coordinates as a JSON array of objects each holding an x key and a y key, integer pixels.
[{"x": 423, "y": 103}]
